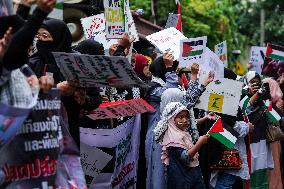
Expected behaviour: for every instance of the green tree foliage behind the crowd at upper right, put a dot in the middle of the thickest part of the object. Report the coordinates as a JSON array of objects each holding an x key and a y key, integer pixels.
[{"x": 236, "y": 21}]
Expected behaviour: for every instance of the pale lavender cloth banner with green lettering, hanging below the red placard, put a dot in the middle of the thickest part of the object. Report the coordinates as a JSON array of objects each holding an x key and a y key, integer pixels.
[{"x": 125, "y": 138}]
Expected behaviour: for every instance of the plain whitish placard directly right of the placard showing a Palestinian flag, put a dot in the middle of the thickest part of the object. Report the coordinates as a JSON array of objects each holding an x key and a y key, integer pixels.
[{"x": 211, "y": 63}]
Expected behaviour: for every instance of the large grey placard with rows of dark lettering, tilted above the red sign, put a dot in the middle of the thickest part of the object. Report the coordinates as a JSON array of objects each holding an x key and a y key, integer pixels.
[{"x": 97, "y": 71}]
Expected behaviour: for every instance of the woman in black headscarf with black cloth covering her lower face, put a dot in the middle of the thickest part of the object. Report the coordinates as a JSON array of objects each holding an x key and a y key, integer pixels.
[{"x": 53, "y": 36}]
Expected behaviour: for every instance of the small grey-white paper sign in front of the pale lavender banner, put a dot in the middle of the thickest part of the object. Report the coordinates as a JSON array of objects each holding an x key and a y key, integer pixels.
[{"x": 93, "y": 160}]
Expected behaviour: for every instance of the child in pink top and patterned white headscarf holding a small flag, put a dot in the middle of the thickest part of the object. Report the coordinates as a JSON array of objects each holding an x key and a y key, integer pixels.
[{"x": 179, "y": 154}]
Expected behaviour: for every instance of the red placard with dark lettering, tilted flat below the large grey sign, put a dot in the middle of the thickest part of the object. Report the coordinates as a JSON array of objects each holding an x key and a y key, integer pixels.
[{"x": 123, "y": 108}]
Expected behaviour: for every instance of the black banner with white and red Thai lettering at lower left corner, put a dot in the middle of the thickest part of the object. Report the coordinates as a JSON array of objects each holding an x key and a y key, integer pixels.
[{"x": 34, "y": 158}]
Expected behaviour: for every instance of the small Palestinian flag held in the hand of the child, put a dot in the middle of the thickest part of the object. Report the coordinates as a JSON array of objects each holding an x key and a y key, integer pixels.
[{"x": 222, "y": 134}]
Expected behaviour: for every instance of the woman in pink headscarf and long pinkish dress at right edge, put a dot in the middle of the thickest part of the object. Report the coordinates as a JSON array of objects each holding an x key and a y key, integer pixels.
[{"x": 275, "y": 180}]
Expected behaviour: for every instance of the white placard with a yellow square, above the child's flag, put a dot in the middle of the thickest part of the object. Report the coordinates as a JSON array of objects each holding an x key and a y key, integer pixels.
[{"x": 222, "y": 97}]
